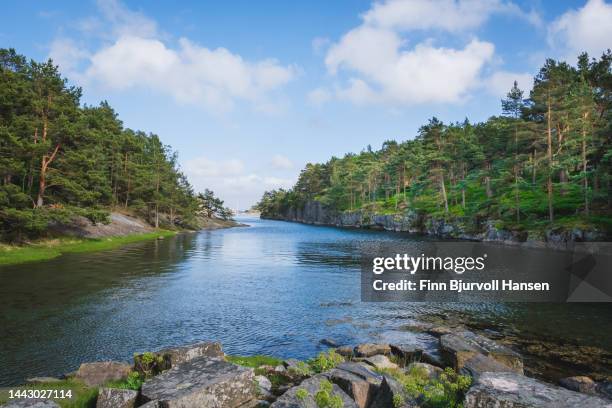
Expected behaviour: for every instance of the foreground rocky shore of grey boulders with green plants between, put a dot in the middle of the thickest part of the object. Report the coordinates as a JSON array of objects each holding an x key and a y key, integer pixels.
[{"x": 463, "y": 369}]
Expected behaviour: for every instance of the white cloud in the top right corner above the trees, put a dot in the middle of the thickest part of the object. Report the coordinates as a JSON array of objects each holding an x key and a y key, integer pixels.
[{"x": 586, "y": 29}]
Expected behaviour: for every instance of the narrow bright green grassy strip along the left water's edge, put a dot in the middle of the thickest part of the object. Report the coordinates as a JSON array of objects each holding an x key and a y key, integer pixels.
[{"x": 52, "y": 248}]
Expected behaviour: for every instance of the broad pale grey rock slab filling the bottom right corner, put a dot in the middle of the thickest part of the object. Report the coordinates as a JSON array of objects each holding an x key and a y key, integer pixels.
[{"x": 512, "y": 390}]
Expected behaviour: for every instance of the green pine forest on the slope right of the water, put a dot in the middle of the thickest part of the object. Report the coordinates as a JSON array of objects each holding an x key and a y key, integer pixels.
[{"x": 545, "y": 162}]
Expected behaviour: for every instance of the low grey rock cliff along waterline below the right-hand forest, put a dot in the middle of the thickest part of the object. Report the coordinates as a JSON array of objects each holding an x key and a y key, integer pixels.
[{"x": 314, "y": 212}]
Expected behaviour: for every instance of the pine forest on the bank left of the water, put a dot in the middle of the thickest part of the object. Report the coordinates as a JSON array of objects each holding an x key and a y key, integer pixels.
[{"x": 59, "y": 159}]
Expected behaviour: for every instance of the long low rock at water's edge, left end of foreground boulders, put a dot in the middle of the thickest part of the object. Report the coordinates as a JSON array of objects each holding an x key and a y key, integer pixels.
[{"x": 167, "y": 358}]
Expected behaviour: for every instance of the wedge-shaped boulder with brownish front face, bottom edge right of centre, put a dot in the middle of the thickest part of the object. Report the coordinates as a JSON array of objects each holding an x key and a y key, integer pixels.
[{"x": 358, "y": 381}]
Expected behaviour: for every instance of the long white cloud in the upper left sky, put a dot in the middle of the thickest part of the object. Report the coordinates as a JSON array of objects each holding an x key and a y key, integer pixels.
[{"x": 137, "y": 56}]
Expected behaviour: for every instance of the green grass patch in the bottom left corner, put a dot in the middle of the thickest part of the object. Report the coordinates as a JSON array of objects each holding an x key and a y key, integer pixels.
[{"x": 82, "y": 395}]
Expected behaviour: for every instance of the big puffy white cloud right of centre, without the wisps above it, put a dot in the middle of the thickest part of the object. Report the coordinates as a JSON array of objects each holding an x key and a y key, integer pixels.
[{"x": 389, "y": 74}]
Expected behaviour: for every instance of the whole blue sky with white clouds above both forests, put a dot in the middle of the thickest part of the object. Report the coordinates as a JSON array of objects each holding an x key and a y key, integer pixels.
[{"x": 249, "y": 92}]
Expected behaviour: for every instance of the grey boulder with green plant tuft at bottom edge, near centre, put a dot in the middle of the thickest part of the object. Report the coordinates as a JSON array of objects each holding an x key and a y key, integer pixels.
[{"x": 302, "y": 396}]
